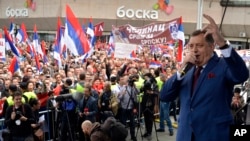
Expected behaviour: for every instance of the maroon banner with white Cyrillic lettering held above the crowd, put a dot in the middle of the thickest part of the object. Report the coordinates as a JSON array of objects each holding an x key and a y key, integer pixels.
[{"x": 151, "y": 34}]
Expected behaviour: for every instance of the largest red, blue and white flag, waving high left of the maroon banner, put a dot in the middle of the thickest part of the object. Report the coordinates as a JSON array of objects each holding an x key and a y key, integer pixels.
[{"x": 75, "y": 39}]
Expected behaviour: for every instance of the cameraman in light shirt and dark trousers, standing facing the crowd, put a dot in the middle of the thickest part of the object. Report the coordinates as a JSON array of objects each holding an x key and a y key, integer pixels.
[{"x": 128, "y": 100}]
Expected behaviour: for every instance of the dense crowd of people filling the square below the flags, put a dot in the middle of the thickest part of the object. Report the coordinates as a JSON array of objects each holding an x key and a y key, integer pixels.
[{"x": 109, "y": 87}]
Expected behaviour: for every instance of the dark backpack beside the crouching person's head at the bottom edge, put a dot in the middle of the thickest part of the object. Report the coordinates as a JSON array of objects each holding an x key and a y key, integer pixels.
[{"x": 114, "y": 129}]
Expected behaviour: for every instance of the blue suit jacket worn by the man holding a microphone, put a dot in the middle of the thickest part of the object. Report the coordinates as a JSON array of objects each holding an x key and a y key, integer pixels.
[{"x": 206, "y": 113}]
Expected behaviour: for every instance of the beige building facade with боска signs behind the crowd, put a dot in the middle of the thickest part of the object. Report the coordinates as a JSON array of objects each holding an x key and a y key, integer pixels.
[{"x": 44, "y": 13}]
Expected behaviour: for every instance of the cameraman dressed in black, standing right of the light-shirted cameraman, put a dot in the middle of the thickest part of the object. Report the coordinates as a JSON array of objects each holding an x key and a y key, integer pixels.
[{"x": 150, "y": 92}]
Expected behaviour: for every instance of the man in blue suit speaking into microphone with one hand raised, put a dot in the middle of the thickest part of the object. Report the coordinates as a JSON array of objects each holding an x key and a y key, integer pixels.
[{"x": 205, "y": 105}]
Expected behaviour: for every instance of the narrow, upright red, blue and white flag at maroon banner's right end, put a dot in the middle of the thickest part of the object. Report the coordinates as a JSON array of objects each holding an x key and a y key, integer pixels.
[{"x": 181, "y": 41}]
